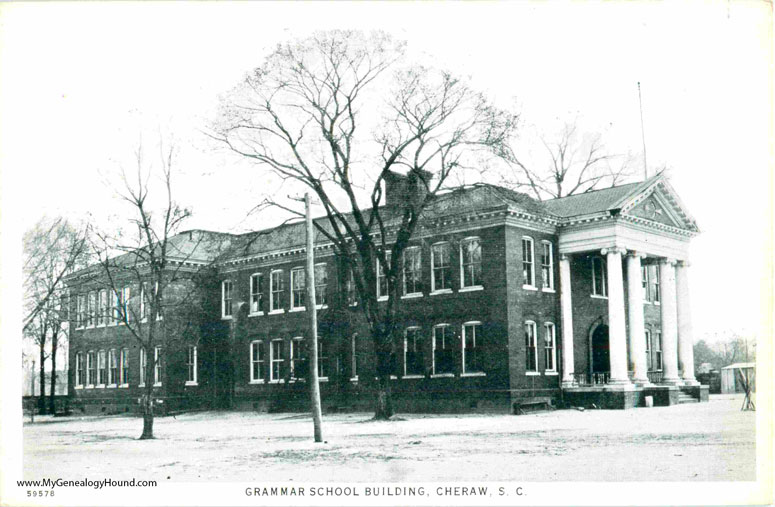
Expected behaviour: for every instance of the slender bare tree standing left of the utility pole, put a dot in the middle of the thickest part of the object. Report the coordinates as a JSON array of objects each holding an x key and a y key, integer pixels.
[{"x": 147, "y": 268}]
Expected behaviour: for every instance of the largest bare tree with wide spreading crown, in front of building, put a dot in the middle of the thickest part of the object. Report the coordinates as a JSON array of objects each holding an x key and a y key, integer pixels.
[{"x": 302, "y": 115}]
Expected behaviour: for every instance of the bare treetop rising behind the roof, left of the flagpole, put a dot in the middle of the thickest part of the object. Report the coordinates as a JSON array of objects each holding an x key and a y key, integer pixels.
[{"x": 574, "y": 163}]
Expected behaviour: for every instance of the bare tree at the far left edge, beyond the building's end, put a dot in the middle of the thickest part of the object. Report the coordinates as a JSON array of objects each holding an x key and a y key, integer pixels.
[{"x": 53, "y": 248}]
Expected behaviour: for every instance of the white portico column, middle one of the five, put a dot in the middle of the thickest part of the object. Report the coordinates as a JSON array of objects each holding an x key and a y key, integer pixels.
[{"x": 637, "y": 335}]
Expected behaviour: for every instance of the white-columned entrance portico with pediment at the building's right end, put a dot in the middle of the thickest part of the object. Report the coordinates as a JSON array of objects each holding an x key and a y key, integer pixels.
[{"x": 637, "y": 244}]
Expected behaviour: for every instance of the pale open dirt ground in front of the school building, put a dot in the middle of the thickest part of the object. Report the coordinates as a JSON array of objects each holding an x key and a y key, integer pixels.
[{"x": 712, "y": 441}]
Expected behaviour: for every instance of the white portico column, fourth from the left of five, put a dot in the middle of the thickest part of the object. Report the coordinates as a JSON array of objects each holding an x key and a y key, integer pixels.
[{"x": 669, "y": 322}]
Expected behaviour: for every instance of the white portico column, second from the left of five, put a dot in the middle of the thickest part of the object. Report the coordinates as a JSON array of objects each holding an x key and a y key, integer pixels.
[{"x": 617, "y": 331}]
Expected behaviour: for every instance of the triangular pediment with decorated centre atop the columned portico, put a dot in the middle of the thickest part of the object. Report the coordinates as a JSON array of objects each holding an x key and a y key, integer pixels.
[{"x": 659, "y": 204}]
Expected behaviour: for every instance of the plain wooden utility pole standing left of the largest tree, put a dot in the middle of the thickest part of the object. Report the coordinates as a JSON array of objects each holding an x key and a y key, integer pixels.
[{"x": 314, "y": 384}]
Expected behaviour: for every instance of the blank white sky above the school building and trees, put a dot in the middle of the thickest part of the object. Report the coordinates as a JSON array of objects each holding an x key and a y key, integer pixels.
[{"x": 82, "y": 83}]
